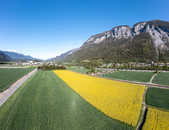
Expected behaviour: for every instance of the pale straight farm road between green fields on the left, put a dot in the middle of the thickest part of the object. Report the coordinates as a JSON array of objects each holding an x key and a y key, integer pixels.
[{"x": 8, "y": 92}]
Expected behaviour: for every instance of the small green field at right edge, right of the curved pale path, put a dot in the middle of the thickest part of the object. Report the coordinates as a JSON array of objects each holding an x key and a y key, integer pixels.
[{"x": 162, "y": 78}]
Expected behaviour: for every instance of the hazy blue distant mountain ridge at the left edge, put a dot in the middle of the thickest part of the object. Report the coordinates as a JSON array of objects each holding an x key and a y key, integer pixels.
[{"x": 13, "y": 56}]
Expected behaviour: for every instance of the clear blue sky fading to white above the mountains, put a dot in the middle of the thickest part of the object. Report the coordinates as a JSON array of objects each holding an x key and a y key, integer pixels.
[{"x": 46, "y": 28}]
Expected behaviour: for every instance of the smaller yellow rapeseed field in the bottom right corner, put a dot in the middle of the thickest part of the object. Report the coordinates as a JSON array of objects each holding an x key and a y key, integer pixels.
[{"x": 156, "y": 120}]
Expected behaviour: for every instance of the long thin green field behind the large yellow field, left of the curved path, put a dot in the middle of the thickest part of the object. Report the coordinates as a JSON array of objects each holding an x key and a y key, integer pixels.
[{"x": 131, "y": 76}]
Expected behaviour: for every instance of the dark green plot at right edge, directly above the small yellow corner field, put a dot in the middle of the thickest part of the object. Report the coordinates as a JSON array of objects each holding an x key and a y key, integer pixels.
[{"x": 158, "y": 97}]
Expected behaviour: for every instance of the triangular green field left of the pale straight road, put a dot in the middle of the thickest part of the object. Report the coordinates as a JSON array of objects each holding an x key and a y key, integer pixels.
[{"x": 9, "y": 76}]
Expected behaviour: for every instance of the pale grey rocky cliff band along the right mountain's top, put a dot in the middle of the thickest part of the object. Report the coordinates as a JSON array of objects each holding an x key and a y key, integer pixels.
[{"x": 158, "y": 30}]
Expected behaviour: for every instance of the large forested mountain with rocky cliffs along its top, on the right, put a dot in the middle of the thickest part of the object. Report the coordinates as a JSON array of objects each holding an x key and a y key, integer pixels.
[{"x": 144, "y": 42}]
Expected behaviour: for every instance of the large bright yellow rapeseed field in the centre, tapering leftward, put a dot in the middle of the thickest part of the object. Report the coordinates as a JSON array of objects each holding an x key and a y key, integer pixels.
[{"x": 119, "y": 100}]
